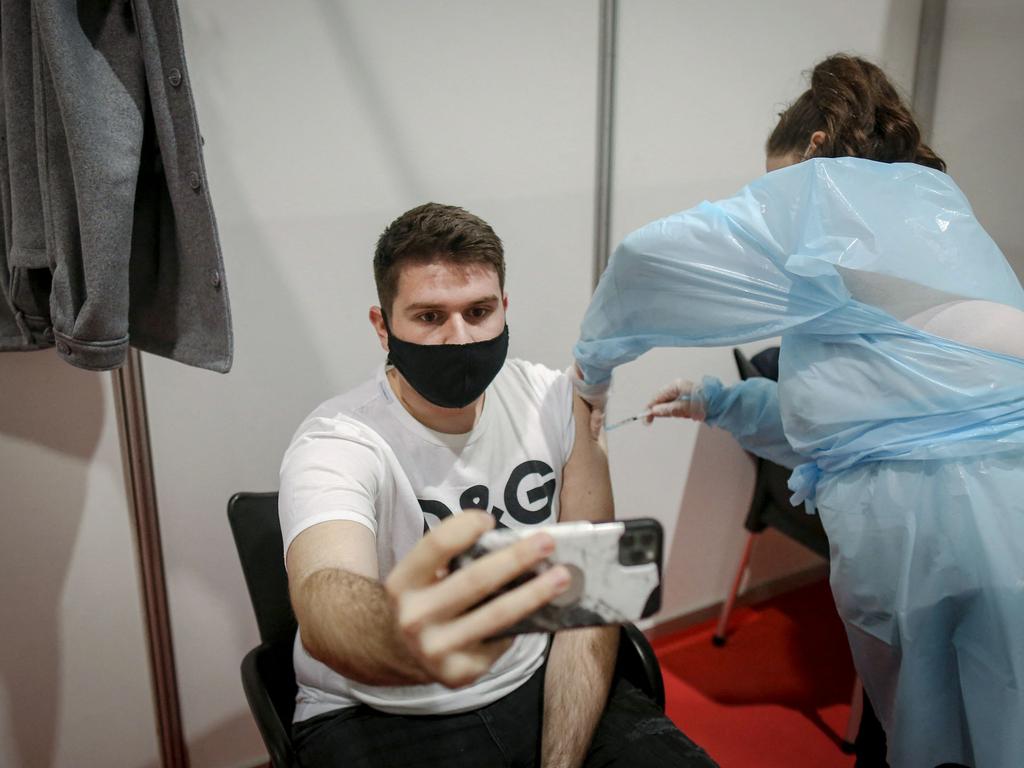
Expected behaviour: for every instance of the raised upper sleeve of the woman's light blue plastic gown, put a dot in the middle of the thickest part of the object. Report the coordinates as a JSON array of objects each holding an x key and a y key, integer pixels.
[{"x": 712, "y": 276}]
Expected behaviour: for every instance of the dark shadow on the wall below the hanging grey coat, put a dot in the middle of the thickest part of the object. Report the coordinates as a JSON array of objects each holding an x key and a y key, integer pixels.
[{"x": 52, "y": 417}]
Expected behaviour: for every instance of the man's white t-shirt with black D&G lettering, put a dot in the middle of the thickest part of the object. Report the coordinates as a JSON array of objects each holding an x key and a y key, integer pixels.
[{"x": 362, "y": 457}]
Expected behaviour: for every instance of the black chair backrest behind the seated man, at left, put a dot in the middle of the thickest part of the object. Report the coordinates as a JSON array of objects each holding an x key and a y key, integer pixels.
[{"x": 258, "y": 536}]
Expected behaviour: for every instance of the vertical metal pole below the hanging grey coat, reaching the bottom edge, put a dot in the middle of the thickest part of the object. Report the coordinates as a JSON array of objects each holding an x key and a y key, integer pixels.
[{"x": 134, "y": 428}]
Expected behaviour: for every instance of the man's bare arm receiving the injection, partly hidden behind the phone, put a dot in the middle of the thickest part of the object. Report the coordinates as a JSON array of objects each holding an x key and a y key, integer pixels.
[{"x": 582, "y": 662}]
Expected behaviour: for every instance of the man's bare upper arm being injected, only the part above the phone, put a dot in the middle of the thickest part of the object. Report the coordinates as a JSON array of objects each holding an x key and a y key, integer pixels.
[{"x": 586, "y": 491}]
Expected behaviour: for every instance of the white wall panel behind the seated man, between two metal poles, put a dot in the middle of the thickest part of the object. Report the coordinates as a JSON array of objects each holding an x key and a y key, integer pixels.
[{"x": 325, "y": 120}]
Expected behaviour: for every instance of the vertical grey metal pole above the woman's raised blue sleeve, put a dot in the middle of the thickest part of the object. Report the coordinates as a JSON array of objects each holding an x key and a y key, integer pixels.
[{"x": 606, "y": 126}]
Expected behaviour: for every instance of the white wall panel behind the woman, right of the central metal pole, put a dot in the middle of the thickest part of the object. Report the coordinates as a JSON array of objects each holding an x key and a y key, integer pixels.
[{"x": 700, "y": 89}]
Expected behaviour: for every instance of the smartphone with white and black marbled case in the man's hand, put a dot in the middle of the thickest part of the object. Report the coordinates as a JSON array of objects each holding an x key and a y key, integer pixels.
[{"x": 616, "y": 570}]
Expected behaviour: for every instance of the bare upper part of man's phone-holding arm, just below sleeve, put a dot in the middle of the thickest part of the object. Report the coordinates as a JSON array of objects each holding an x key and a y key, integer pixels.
[{"x": 332, "y": 545}]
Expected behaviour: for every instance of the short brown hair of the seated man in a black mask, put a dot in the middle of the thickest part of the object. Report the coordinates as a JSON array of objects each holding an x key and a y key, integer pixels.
[{"x": 435, "y": 233}]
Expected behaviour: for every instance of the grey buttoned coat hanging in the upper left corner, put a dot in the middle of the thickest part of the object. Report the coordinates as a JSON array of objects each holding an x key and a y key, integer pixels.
[{"x": 108, "y": 228}]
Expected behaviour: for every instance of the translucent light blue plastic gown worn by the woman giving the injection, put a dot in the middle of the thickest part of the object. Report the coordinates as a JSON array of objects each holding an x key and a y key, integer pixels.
[{"x": 911, "y": 446}]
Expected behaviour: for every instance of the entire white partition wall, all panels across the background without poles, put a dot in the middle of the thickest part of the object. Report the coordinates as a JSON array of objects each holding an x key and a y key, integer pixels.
[{"x": 324, "y": 120}]
